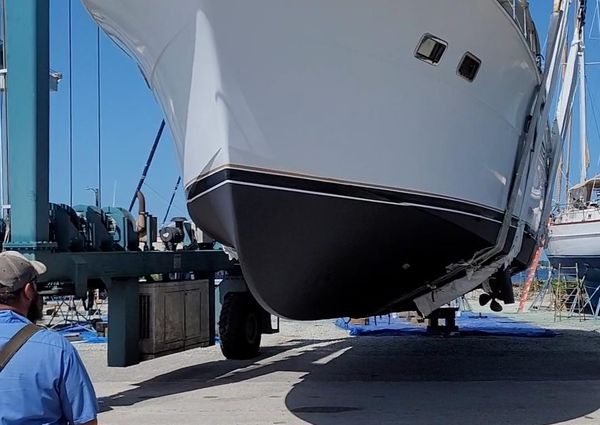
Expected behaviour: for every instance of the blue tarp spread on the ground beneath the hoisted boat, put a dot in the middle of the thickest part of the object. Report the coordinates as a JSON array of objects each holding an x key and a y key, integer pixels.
[{"x": 468, "y": 324}]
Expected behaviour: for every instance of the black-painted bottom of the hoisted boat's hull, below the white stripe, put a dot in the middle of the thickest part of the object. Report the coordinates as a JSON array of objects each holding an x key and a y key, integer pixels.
[{"x": 308, "y": 256}]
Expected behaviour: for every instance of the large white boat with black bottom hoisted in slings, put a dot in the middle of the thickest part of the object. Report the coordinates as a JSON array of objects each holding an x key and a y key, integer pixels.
[{"x": 358, "y": 157}]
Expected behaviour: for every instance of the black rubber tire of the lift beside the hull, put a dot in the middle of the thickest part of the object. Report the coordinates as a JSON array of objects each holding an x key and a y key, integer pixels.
[{"x": 239, "y": 326}]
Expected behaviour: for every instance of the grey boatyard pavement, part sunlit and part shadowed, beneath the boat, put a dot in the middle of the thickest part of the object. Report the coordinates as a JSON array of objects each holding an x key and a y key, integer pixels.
[{"x": 314, "y": 373}]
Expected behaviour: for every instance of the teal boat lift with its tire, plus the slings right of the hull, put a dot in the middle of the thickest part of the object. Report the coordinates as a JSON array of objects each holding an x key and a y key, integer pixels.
[{"x": 71, "y": 243}]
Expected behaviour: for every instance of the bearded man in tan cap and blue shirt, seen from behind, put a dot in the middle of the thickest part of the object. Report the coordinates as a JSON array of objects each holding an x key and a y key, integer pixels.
[{"x": 42, "y": 378}]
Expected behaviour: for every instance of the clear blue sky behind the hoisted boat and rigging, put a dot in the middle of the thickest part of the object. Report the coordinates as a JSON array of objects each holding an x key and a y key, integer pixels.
[{"x": 131, "y": 116}]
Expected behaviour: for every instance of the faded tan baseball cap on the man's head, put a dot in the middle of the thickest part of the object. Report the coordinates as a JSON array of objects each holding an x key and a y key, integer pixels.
[{"x": 16, "y": 271}]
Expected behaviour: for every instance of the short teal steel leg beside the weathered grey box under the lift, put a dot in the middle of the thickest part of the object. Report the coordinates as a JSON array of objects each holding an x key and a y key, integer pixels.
[{"x": 123, "y": 323}]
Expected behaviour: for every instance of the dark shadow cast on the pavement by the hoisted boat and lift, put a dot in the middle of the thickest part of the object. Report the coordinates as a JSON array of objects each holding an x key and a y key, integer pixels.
[{"x": 416, "y": 380}]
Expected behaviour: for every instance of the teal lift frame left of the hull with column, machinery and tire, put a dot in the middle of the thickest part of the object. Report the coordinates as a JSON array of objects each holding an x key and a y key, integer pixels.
[{"x": 87, "y": 247}]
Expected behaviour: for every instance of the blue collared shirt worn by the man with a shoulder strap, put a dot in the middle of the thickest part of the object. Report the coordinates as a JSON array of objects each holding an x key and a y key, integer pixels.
[{"x": 45, "y": 382}]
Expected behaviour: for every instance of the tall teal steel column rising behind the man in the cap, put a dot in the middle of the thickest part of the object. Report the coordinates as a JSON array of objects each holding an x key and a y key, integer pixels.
[{"x": 28, "y": 64}]
